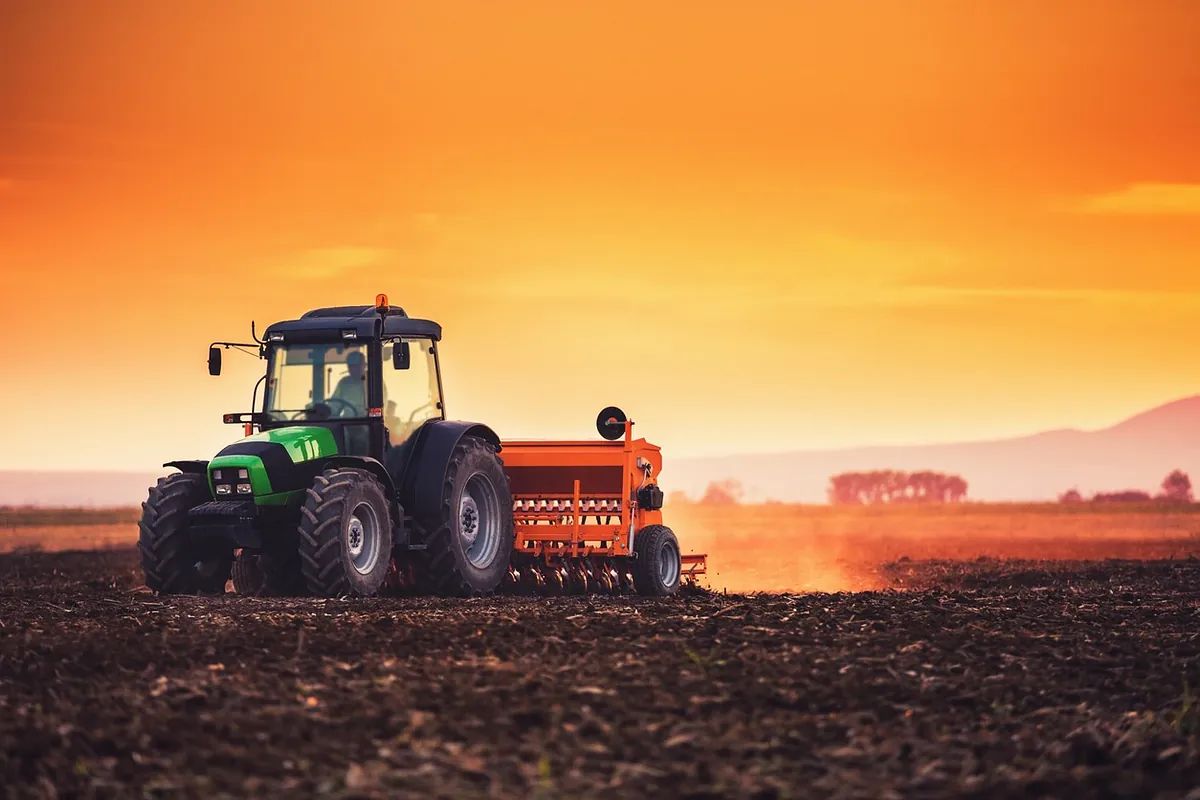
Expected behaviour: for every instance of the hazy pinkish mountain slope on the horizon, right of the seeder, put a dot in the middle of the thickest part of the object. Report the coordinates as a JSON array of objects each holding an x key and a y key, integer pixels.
[{"x": 1136, "y": 454}]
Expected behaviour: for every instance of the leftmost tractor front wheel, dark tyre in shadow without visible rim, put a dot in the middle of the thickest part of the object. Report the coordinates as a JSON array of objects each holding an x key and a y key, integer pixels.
[{"x": 172, "y": 563}]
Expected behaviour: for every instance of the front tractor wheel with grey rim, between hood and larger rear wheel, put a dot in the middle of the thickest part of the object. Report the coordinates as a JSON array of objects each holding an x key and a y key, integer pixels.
[{"x": 345, "y": 534}]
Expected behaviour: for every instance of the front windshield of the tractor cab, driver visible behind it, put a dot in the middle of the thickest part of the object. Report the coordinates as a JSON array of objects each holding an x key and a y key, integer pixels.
[{"x": 323, "y": 382}]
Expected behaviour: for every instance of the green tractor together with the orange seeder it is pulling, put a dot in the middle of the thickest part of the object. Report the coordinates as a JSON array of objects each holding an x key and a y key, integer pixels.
[{"x": 351, "y": 482}]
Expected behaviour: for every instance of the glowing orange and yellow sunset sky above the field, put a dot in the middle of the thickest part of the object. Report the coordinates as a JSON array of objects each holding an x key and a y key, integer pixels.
[{"x": 757, "y": 227}]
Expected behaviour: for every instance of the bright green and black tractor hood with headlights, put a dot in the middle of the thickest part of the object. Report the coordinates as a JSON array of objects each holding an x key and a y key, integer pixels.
[{"x": 275, "y": 465}]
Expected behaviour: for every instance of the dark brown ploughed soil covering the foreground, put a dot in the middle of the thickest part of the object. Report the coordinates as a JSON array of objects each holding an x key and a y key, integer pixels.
[{"x": 976, "y": 679}]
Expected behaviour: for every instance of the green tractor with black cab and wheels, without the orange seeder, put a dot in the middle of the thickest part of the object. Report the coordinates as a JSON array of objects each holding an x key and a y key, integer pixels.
[{"x": 353, "y": 462}]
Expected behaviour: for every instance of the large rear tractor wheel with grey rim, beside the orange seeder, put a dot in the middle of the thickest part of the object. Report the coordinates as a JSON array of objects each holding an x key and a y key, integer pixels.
[{"x": 470, "y": 543}]
